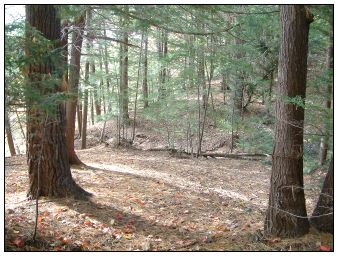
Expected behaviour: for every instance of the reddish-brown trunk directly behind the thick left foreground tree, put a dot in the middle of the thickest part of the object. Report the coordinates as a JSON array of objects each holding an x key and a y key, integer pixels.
[{"x": 74, "y": 77}]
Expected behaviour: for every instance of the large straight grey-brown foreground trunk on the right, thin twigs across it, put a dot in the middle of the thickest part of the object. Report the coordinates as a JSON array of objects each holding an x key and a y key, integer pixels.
[{"x": 286, "y": 214}]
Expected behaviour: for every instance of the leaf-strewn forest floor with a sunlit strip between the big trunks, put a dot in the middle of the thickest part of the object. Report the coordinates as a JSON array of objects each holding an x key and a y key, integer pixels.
[{"x": 152, "y": 201}]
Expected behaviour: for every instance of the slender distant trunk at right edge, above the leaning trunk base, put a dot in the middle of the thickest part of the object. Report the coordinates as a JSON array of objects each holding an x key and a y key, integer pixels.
[{"x": 324, "y": 142}]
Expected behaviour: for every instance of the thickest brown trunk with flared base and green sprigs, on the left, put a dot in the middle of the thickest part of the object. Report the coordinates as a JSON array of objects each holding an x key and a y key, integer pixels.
[{"x": 48, "y": 165}]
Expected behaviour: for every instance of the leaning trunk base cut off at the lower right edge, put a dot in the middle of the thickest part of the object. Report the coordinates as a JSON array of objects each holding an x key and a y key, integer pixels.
[{"x": 324, "y": 207}]
